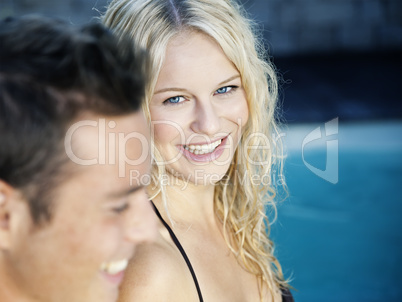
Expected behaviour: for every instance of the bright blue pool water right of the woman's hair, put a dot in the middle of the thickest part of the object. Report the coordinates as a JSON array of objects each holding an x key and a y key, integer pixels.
[{"x": 343, "y": 242}]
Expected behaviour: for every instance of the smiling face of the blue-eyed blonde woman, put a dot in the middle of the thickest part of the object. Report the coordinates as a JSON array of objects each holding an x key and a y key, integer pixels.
[{"x": 198, "y": 109}]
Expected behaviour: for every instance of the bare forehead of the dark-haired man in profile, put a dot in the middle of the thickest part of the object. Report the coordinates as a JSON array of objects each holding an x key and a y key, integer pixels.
[{"x": 115, "y": 144}]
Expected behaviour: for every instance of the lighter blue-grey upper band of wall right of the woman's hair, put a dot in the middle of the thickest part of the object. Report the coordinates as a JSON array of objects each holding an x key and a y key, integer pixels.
[{"x": 305, "y": 26}]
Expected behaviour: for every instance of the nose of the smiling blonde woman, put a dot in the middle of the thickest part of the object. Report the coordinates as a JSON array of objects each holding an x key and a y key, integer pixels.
[{"x": 207, "y": 118}]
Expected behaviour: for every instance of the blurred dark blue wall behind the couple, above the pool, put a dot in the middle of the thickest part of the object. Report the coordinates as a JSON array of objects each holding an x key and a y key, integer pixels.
[{"x": 336, "y": 57}]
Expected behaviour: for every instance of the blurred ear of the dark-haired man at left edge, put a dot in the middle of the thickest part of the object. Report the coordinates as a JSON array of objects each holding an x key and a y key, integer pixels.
[{"x": 11, "y": 206}]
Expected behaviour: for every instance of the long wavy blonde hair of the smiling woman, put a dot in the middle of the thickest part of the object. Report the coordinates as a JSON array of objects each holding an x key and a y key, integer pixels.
[{"x": 240, "y": 202}]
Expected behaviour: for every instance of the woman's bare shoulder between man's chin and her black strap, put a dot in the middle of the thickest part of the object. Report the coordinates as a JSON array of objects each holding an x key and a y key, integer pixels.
[{"x": 155, "y": 273}]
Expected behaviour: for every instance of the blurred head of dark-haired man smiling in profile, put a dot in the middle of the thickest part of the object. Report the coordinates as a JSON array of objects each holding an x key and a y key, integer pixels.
[{"x": 67, "y": 226}]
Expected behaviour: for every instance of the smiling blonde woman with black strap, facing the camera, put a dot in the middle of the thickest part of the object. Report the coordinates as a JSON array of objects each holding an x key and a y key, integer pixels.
[{"x": 211, "y": 102}]
